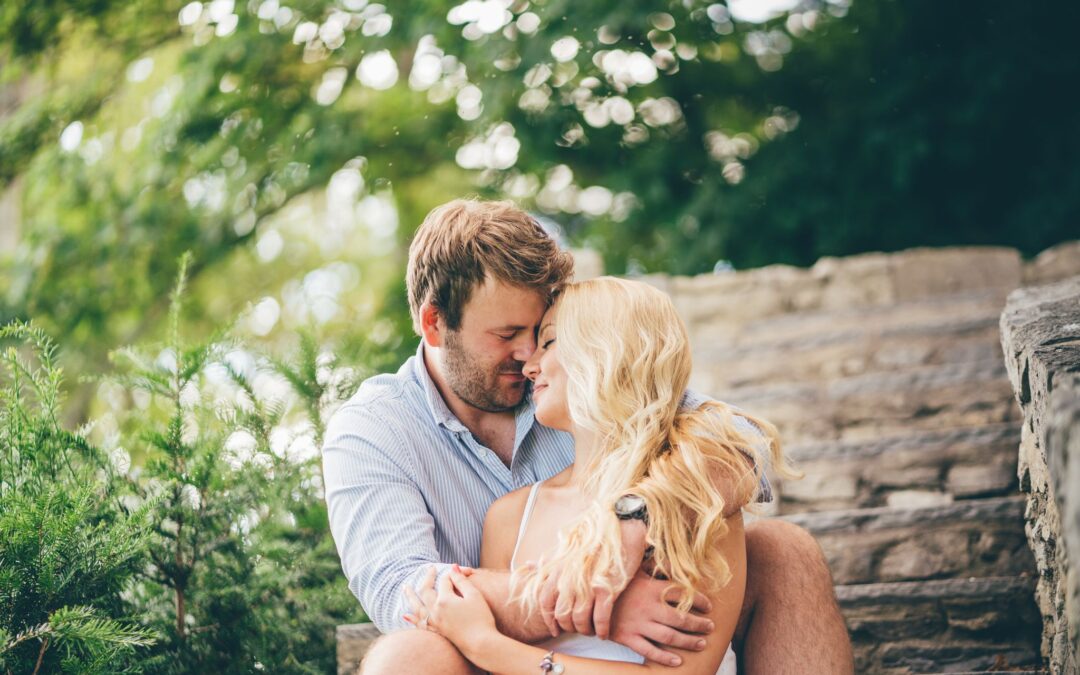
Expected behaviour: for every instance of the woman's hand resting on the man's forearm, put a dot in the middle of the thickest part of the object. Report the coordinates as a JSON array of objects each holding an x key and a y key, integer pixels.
[{"x": 455, "y": 610}]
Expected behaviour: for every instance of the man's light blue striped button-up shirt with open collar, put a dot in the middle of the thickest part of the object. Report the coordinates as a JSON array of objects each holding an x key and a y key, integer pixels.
[{"x": 408, "y": 485}]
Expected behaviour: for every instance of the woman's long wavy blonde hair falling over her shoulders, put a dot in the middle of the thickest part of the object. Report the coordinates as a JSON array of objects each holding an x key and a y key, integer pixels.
[{"x": 627, "y": 356}]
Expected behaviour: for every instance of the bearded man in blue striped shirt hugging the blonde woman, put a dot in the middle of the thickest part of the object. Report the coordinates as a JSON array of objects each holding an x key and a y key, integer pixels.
[{"x": 414, "y": 460}]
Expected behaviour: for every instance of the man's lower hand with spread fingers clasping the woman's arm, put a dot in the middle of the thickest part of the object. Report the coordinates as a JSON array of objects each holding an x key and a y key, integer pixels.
[{"x": 643, "y": 617}]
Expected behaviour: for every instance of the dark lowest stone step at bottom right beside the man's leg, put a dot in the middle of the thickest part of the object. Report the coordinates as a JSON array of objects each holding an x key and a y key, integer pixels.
[{"x": 953, "y": 625}]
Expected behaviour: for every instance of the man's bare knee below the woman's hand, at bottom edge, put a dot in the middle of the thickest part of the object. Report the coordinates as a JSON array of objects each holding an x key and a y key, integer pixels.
[{"x": 414, "y": 651}]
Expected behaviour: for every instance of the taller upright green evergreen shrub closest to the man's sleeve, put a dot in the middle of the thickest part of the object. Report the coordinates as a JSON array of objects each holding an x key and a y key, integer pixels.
[{"x": 244, "y": 575}]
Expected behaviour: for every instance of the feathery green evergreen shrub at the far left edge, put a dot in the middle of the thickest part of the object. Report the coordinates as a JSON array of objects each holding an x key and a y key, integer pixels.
[{"x": 67, "y": 549}]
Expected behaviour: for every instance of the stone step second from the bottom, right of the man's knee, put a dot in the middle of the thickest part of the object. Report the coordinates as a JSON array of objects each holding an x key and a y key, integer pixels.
[{"x": 980, "y": 538}]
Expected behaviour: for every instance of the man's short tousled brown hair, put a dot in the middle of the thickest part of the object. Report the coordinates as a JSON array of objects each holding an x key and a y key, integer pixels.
[{"x": 464, "y": 242}]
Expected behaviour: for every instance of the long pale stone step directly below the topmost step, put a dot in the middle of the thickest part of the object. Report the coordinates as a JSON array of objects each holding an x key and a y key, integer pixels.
[{"x": 868, "y": 348}]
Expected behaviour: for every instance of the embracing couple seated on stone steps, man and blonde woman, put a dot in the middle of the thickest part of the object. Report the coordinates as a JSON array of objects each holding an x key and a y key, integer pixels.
[{"x": 536, "y": 491}]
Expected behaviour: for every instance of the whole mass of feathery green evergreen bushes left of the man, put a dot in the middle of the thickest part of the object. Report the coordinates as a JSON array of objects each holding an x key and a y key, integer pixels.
[{"x": 213, "y": 556}]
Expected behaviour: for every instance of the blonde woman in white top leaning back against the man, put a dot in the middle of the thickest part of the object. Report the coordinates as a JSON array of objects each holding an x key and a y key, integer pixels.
[{"x": 612, "y": 367}]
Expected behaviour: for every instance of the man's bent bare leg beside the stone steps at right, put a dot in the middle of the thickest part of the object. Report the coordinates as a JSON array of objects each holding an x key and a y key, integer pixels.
[{"x": 791, "y": 624}]
